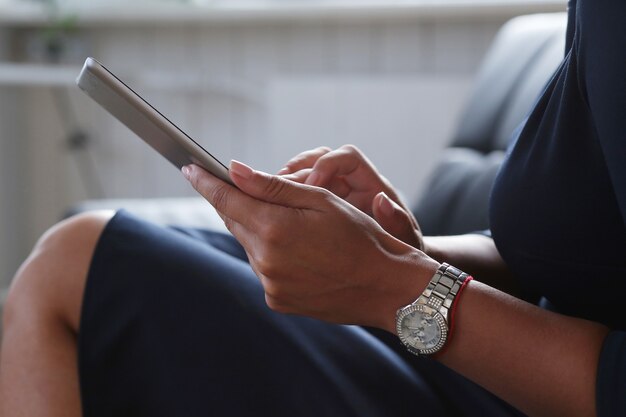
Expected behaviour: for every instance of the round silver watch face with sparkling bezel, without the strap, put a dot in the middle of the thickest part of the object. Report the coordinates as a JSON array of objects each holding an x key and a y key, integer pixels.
[{"x": 422, "y": 329}]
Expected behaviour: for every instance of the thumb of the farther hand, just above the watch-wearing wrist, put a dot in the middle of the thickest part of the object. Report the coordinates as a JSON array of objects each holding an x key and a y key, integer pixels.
[{"x": 394, "y": 219}]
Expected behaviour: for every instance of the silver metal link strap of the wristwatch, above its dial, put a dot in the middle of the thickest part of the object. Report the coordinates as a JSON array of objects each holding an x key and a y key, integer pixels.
[{"x": 443, "y": 288}]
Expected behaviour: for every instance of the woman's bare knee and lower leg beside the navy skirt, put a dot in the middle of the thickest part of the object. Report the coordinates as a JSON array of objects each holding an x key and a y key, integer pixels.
[{"x": 38, "y": 363}]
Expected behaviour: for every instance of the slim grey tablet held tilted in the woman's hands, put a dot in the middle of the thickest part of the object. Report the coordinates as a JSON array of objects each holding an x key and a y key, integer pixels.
[{"x": 147, "y": 122}]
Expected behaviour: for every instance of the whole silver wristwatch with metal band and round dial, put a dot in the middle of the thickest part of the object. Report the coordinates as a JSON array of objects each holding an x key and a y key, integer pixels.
[{"x": 424, "y": 325}]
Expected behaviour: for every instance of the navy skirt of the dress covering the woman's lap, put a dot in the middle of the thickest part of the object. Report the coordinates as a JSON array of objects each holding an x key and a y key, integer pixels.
[{"x": 174, "y": 322}]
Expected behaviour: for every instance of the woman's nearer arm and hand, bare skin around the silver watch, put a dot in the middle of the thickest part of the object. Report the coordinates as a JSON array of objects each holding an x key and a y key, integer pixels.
[{"x": 541, "y": 362}]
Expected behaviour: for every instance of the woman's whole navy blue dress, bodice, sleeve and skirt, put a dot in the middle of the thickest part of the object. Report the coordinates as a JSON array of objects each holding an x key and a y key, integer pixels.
[{"x": 174, "y": 321}]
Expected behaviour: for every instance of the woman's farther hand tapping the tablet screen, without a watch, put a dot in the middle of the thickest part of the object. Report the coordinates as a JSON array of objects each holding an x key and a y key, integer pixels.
[{"x": 348, "y": 173}]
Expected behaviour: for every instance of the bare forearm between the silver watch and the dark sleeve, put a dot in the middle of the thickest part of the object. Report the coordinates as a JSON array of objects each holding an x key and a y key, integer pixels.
[{"x": 541, "y": 362}]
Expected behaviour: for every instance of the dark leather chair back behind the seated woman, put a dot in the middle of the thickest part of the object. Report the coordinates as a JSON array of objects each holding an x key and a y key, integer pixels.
[{"x": 524, "y": 54}]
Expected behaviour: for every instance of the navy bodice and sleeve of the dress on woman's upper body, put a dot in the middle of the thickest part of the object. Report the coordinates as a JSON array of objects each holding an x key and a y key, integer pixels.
[{"x": 558, "y": 208}]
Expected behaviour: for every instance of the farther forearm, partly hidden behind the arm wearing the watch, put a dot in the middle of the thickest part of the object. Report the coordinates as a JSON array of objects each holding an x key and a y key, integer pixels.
[{"x": 475, "y": 254}]
